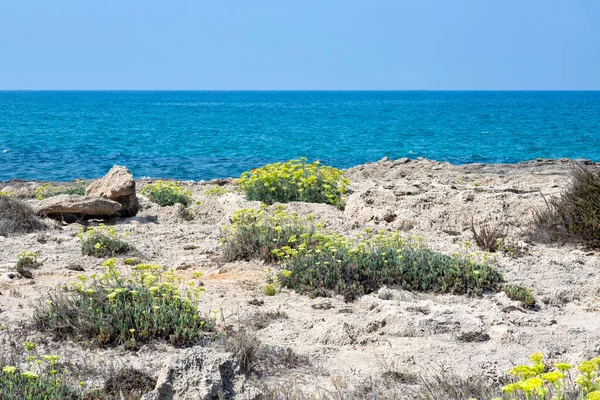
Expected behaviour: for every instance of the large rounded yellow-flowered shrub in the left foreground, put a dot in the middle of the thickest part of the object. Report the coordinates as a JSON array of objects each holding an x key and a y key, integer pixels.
[{"x": 111, "y": 309}]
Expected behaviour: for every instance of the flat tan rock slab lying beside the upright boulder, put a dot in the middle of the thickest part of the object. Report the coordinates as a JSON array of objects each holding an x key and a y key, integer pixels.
[{"x": 67, "y": 204}]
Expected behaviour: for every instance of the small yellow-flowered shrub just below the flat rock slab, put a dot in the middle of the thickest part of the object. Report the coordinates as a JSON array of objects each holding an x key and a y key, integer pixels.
[{"x": 103, "y": 241}]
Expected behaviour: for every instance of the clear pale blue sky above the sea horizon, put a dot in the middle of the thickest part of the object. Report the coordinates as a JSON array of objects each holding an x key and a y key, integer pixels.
[{"x": 300, "y": 44}]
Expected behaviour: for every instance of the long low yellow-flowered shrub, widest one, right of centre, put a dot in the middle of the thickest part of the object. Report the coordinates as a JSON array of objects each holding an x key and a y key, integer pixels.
[{"x": 333, "y": 264}]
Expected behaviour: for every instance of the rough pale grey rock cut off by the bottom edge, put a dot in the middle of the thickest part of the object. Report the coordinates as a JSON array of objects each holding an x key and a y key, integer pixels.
[{"x": 197, "y": 373}]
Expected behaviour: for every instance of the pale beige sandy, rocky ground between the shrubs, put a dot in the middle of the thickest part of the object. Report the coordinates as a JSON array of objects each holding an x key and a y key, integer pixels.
[{"x": 421, "y": 333}]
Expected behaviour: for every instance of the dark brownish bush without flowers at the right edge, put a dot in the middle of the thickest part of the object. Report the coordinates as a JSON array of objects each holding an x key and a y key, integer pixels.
[{"x": 575, "y": 214}]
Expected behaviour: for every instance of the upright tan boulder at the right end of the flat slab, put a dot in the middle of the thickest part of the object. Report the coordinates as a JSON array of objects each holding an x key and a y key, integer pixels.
[{"x": 118, "y": 185}]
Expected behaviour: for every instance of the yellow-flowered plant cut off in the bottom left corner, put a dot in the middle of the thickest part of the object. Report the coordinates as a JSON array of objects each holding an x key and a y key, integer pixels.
[{"x": 43, "y": 379}]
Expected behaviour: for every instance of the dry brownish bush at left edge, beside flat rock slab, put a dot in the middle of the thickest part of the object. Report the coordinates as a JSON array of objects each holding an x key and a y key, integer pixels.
[{"x": 17, "y": 217}]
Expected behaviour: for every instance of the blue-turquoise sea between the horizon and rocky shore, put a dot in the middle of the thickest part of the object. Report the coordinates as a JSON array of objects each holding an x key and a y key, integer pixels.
[{"x": 61, "y": 135}]
